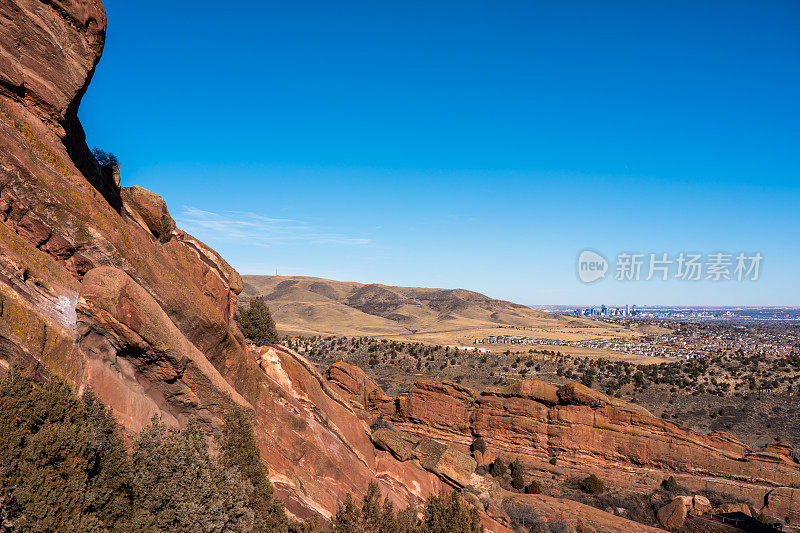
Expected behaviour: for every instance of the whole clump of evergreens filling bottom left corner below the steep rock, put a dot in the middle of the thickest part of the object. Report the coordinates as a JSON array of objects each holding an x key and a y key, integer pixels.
[{"x": 63, "y": 467}]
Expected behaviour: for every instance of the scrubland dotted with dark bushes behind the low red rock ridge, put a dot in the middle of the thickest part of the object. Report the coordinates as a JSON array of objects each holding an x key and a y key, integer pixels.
[{"x": 750, "y": 394}]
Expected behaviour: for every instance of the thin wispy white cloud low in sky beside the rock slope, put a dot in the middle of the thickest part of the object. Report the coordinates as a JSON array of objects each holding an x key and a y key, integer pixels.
[{"x": 255, "y": 229}]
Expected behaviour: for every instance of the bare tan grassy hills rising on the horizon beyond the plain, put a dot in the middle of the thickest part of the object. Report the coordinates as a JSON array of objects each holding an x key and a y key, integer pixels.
[{"x": 303, "y": 304}]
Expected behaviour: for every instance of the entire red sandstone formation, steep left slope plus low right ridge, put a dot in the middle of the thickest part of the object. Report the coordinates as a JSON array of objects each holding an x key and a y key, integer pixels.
[{"x": 98, "y": 286}]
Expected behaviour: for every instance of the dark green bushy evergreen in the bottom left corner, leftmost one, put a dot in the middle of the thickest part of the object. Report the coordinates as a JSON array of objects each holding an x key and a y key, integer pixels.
[{"x": 56, "y": 468}]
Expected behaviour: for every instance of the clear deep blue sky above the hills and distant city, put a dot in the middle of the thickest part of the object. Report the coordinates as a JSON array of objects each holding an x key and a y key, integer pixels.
[{"x": 479, "y": 145}]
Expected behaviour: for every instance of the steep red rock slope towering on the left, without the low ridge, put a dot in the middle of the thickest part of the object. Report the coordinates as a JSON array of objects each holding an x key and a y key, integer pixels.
[{"x": 99, "y": 287}]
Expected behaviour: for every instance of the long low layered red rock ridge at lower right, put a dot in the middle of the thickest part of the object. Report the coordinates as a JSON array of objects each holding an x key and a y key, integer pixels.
[{"x": 589, "y": 433}]
